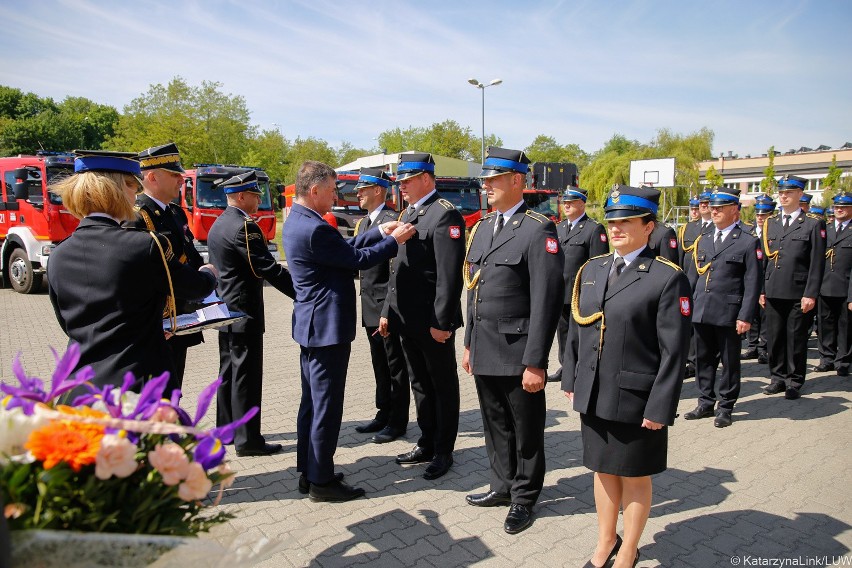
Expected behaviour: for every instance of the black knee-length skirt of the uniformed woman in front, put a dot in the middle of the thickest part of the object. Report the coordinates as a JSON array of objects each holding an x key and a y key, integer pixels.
[{"x": 618, "y": 448}]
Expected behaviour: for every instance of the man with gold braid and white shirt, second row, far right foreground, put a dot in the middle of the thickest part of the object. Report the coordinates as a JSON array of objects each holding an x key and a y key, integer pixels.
[{"x": 794, "y": 245}]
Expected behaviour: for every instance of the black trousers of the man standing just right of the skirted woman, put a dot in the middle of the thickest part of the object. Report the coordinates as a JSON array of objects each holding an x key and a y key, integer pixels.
[{"x": 712, "y": 344}]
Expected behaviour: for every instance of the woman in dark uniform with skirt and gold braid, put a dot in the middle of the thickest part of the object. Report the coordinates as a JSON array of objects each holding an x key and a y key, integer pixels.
[{"x": 624, "y": 368}]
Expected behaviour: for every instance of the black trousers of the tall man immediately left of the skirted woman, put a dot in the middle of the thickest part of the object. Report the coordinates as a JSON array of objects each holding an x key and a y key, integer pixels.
[{"x": 513, "y": 421}]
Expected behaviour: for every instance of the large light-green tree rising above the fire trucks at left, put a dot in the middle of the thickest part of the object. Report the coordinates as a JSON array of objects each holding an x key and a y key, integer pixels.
[{"x": 206, "y": 124}]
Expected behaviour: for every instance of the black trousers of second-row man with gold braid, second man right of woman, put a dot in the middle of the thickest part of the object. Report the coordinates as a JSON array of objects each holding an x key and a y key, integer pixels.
[{"x": 787, "y": 331}]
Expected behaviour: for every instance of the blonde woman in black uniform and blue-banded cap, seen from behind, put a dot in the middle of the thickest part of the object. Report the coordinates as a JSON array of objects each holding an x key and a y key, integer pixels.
[{"x": 109, "y": 285}]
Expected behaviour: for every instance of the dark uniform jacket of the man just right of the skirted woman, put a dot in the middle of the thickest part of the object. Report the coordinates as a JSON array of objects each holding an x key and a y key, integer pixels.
[{"x": 730, "y": 287}]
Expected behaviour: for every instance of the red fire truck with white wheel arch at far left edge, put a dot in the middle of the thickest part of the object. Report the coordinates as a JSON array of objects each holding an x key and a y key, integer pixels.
[{"x": 32, "y": 218}]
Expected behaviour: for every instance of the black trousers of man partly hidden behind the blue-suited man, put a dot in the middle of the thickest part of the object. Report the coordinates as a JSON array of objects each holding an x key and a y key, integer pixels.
[{"x": 393, "y": 394}]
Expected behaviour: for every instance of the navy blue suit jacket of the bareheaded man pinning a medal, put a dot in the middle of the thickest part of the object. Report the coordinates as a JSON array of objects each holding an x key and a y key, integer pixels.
[{"x": 322, "y": 263}]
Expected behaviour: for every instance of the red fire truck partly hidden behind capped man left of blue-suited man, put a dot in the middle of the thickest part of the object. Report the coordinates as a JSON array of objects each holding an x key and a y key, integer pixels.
[{"x": 203, "y": 203}]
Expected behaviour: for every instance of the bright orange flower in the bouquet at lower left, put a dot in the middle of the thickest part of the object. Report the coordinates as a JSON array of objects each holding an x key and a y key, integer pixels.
[{"x": 69, "y": 441}]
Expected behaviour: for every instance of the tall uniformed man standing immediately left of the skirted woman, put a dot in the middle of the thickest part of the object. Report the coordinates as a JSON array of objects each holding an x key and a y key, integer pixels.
[{"x": 513, "y": 273}]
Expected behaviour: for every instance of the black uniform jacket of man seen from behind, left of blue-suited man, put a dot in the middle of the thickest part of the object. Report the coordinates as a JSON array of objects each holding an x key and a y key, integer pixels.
[{"x": 239, "y": 252}]
